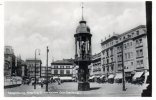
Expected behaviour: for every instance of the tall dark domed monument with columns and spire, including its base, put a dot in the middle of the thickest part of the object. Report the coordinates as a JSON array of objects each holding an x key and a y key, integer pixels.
[{"x": 83, "y": 53}]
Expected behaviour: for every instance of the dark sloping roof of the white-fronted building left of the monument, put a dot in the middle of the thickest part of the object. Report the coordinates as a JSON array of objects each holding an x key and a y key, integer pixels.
[{"x": 63, "y": 62}]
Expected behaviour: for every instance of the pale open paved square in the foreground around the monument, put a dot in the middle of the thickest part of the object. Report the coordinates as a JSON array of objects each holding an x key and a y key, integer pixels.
[{"x": 69, "y": 89}]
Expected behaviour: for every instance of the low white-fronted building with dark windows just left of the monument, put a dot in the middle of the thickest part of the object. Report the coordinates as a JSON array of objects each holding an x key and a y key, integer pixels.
[{"x": 63, "y": 68}]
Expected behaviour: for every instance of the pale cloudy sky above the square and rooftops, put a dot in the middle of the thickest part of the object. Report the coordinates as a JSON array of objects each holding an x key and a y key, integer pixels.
[{"x": 31, "y": 25}]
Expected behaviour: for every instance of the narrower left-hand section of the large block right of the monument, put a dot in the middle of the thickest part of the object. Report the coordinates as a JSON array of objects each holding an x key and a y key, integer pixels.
[{"x": 109, "y": 56}]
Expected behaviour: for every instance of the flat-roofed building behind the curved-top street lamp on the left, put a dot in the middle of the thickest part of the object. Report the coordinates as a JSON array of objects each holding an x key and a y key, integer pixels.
[{"x": 31, "y": 67}]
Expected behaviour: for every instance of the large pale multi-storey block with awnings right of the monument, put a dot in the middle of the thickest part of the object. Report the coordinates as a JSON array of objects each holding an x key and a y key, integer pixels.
[{"x": 129, "y": 51}]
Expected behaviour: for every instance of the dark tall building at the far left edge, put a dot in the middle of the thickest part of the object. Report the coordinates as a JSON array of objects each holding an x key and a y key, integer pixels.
[{"x": 9, "y": 61}]
